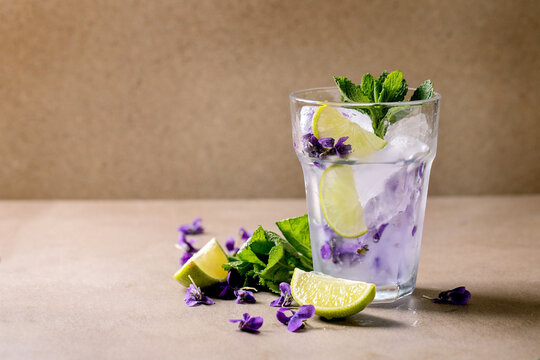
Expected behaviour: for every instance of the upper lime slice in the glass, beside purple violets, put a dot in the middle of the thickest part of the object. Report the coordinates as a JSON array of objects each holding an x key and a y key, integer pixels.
[{"x": 330, "y": 122}]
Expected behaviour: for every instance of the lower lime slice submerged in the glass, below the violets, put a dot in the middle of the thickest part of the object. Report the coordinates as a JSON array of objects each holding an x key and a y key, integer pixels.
[{"x": 339, "y": 202}]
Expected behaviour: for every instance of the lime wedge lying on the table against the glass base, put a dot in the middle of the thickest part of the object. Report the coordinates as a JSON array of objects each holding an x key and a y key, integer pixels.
[{"x": 332, "y": 297}]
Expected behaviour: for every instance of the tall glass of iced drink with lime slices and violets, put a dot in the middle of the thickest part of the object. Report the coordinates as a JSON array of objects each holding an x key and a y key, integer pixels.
[{"x": 366, "y": 168}]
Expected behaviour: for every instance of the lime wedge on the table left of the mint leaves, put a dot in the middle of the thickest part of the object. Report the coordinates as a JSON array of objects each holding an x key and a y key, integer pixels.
[{"x": 204, "y": 267}]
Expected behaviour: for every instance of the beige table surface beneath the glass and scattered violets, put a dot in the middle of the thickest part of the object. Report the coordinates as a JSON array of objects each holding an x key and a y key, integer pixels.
[{"x": 93, "y": 280}]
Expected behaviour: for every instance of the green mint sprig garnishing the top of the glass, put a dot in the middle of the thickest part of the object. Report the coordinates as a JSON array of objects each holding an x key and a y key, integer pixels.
[{"x": 389, "y": 87}]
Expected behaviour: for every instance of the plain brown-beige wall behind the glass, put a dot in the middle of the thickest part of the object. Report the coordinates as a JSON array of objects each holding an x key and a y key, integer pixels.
[{"x": 189, "y": 99}]
